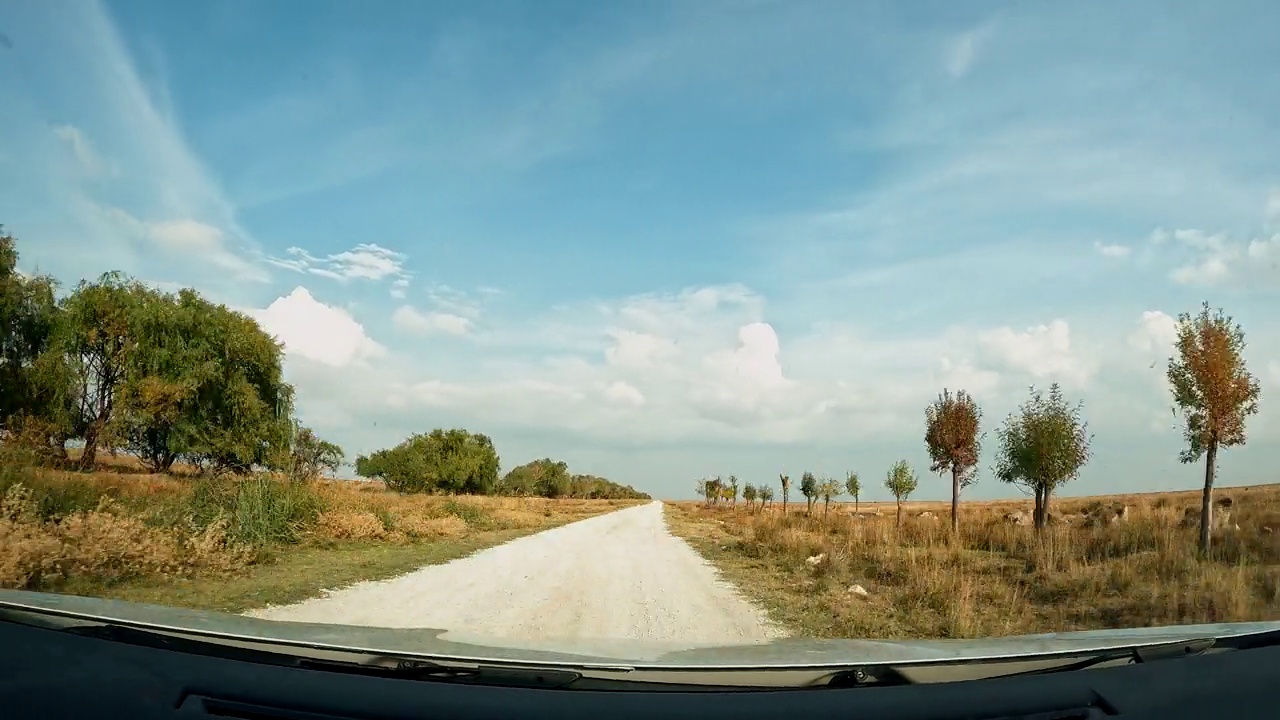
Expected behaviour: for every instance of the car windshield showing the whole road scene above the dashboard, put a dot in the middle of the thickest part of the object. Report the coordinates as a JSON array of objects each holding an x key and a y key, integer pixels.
[{"x": 566, "y": 326}]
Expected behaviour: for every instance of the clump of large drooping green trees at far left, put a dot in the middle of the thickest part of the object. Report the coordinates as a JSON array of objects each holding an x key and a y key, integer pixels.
[{"x": 118, "y": 366}]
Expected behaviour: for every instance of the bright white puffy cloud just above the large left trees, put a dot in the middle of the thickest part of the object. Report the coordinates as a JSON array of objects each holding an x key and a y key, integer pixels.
[{"x": 314, "y": 331}]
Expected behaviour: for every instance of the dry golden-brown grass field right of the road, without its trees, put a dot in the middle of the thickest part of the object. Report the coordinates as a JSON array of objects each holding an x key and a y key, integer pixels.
[{"x": 847, "y": 575}]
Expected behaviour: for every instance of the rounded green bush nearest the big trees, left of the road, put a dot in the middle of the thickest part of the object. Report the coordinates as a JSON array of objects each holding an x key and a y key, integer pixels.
[{"x": 442, "y": 462}]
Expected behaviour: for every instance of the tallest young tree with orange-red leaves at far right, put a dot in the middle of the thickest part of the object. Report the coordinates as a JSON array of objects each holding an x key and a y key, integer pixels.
[{"x": 1215, "y": 393}]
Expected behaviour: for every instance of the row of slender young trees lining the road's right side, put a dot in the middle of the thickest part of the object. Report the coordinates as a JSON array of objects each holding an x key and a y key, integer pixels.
[{"x": 1046, "y": 443}]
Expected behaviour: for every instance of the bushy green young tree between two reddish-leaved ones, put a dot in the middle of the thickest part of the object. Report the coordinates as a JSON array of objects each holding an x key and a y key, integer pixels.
[{"x": 1043, "y": 445}]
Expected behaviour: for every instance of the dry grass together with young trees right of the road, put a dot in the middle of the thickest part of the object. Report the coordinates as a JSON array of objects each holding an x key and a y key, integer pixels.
[{"x": 995, "y": 569}]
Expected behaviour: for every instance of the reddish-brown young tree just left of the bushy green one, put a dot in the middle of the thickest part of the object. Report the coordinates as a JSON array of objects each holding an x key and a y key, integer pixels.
[{"x": 952, "y": 435}]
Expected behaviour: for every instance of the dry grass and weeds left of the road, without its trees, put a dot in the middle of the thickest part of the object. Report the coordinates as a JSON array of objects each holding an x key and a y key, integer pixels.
[{"x": 239, "y": 544}]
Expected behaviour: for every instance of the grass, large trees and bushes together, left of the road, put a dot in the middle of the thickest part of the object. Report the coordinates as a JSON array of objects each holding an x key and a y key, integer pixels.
[{"x": 149, "y": 450}]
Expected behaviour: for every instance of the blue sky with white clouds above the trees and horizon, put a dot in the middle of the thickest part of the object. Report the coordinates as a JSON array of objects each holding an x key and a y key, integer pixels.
[{"x": 664, "y": 241}]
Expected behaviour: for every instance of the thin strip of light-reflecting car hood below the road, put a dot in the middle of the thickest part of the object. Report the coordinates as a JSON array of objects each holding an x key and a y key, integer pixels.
[{"x": 598, "y": 653}]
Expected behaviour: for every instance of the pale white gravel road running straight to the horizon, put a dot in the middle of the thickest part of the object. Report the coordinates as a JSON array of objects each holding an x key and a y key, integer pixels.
[{"x": 616, "y": 576}]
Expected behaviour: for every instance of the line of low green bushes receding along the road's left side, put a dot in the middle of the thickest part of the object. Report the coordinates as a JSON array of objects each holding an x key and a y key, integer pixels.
[{"x": 458, "y": 462}]
